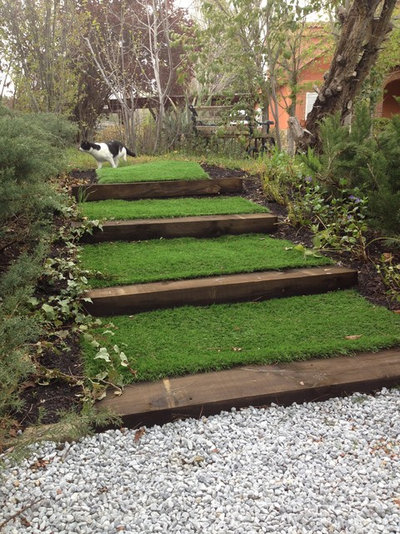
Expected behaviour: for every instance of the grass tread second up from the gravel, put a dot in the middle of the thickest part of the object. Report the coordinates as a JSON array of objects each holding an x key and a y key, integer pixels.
[{"x": 123, "y": 263}]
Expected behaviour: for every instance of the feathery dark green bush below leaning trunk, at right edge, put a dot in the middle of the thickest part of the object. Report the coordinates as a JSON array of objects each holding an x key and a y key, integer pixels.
[{"x": 365, "y": 159}]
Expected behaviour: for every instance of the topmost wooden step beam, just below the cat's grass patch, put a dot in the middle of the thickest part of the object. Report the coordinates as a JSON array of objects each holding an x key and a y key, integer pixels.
[{"x": 162, "y": 189}]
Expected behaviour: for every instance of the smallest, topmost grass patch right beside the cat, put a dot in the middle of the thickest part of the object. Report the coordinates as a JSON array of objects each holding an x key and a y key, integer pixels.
[{"x": 152, "y": 171}]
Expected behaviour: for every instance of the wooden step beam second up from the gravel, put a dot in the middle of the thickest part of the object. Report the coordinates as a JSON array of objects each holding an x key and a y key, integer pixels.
[{"x": 230, "y": 288}]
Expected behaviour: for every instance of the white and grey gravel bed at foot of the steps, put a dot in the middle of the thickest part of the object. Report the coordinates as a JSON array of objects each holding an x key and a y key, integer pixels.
[{"x": 331, "y": 467}]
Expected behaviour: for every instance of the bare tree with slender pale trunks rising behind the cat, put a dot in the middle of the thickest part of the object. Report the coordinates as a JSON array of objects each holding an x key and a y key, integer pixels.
[{"x": 136, "y": 56}]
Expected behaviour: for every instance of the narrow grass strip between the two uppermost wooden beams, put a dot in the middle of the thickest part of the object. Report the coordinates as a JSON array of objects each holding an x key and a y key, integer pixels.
[{"x": 173, "y": 207}]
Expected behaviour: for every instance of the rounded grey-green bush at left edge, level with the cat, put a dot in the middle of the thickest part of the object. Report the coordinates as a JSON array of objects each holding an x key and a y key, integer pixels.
[{"x": 30, "y": 153}]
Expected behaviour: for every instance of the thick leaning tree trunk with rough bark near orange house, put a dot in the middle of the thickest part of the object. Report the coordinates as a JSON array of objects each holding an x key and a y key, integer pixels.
[{"x": 364, "y": 28}]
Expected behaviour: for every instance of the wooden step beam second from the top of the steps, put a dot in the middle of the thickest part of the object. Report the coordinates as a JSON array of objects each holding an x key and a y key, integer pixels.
[{"x": 183, "y": 227}]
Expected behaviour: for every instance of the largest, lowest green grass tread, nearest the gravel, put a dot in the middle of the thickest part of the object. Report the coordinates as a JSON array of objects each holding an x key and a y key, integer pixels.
[{"x": 196, "y": 339}]
